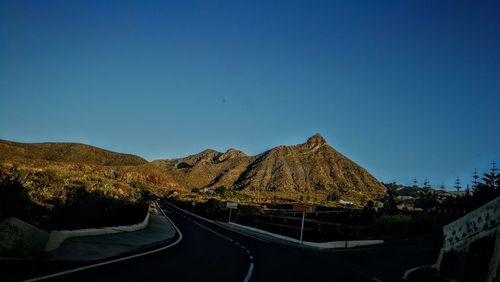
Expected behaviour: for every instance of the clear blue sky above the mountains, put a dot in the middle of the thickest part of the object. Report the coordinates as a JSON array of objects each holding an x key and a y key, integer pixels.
[{"x": 405, "y": 88}]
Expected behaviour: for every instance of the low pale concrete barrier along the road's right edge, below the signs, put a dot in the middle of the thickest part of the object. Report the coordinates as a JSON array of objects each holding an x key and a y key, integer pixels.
[{"x": 323, "y": 245}]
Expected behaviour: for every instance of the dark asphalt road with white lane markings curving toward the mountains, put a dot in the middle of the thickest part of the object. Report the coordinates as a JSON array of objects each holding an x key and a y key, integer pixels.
[{"x": 209, "y": 252}]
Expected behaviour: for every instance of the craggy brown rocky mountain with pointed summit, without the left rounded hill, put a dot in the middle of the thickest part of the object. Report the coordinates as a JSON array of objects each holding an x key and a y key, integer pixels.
[{"x": 313, "y": 167}]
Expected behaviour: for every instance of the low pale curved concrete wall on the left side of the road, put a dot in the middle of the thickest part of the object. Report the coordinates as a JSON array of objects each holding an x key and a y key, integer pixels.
[{"x": 56, "y": 238}]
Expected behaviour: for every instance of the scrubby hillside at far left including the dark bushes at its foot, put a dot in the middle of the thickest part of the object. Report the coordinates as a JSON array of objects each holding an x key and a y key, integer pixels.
[{"x": 56, "y": 185}]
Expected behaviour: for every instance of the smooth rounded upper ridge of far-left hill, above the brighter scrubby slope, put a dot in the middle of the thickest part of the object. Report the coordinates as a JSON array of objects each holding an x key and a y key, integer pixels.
[{"x": 65, "y": 153}]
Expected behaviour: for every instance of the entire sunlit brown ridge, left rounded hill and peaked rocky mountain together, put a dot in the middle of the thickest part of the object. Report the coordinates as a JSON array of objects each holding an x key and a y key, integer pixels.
[{"x": 312, "y": 170}]
